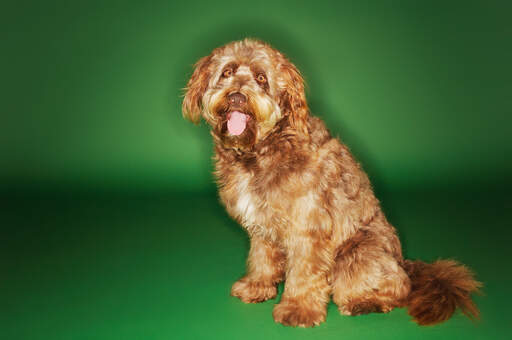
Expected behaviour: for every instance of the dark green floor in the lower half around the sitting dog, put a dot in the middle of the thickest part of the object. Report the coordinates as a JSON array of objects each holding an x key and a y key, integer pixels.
[{"x": 161, "y": 266}]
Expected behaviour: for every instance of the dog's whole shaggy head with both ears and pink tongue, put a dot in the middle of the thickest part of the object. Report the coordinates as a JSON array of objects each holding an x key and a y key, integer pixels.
[{"x": 243, "y": 89}]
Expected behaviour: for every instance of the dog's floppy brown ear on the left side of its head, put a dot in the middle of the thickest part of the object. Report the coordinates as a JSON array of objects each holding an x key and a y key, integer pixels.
[{"x": 196, "y": 86}]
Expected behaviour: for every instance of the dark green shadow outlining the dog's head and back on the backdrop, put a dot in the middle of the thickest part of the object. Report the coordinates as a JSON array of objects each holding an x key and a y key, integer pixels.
[{"x": 287, "y": 43}]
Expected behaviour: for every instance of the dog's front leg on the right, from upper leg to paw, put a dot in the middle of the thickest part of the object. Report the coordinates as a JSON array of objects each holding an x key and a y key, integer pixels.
[{"x": 306, "y": 293}]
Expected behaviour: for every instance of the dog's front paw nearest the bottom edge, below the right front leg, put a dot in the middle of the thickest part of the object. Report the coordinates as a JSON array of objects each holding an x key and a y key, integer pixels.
[{"x": 290, "y": 312}]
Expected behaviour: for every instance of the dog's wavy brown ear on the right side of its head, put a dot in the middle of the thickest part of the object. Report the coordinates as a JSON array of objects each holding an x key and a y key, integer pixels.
[{"x": 293, "y": 98}]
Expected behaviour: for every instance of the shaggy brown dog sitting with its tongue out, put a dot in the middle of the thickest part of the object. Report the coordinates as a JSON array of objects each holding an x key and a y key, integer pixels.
[{"x": 307, "y": 205}]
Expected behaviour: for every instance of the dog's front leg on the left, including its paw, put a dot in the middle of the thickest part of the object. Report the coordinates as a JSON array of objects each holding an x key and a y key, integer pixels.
[{"x": 265, "y": 268}]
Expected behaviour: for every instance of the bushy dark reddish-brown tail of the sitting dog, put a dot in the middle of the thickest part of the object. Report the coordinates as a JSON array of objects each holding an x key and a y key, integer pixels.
[{"x": 437, "y": 289}]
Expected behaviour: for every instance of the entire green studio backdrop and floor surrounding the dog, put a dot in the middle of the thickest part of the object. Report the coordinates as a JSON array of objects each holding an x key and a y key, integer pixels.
[{"x": 111, "y": 225}]
